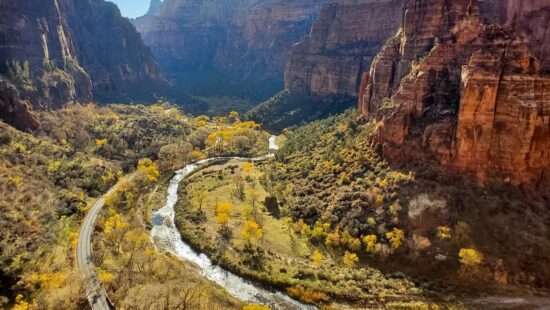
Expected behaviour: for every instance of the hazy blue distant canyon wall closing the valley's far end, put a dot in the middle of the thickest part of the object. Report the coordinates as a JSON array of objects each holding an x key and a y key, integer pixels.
[{"x": 246, "y": 38}]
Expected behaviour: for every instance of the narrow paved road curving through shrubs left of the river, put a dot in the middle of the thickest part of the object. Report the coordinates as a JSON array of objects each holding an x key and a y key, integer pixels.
[{"x": 95, "y": 292}]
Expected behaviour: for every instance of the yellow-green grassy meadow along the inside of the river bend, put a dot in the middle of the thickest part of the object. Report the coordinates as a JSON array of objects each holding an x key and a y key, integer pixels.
[{"x": 286, "y": 261}]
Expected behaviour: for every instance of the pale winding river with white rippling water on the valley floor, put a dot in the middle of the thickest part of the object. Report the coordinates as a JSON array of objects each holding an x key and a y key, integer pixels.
[{"x": 166, "y": 236}]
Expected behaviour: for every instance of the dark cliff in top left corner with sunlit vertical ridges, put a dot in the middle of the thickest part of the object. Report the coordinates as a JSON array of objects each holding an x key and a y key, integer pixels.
[{"x": 37, "y": 32}]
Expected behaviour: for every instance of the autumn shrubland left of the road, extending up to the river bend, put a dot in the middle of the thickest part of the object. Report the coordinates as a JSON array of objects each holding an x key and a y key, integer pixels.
[{"x": 49, "y": 178}]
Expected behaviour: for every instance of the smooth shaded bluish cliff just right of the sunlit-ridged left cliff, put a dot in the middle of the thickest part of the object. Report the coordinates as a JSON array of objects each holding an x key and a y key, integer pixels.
[{"x": 110, "y": 49}]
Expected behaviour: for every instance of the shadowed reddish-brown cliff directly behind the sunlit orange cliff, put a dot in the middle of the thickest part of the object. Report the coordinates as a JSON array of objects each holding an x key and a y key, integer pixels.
[{"x": 342, "y": 44}]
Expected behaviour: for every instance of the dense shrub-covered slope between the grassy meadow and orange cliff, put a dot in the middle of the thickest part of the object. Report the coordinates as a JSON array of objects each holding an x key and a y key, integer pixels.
[{"x": 448, "y": 232}]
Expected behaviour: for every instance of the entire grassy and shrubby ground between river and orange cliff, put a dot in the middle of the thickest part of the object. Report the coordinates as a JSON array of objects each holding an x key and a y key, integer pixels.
[{"x": 403, "y": 231}]
